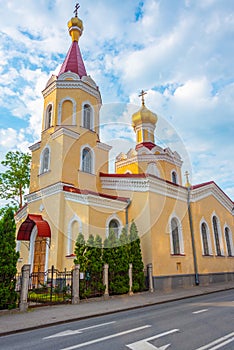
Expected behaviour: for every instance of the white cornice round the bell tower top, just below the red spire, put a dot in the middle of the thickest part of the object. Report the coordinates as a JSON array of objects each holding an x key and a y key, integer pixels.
[{"x": 71, "y": 84}]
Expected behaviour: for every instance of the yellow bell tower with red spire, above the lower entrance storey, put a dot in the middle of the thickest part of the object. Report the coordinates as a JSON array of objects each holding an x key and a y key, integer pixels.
[{"x": 70, "y": 150}]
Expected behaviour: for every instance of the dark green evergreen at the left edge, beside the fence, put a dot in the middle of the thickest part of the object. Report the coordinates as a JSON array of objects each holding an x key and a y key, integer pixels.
[{"x": 8, "y": 260}]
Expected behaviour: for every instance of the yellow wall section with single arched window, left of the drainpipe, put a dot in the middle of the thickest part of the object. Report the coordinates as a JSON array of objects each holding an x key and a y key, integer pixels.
[{"x": 164, "y": 261}]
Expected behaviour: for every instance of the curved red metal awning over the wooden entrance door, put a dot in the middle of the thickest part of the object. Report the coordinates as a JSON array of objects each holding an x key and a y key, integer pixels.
[{"x": 27, "y": 226}]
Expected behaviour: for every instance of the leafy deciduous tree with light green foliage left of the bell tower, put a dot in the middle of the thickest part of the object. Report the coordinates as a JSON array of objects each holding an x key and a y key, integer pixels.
[{"x": 15, "y": 180}]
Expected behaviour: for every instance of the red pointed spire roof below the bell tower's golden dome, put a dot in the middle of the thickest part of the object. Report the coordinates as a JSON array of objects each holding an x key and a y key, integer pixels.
[{"x": 73, "y": 61}]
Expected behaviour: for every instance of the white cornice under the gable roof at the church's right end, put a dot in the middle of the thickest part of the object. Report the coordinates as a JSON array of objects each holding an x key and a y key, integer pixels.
[{"x": 211, "y": 189}]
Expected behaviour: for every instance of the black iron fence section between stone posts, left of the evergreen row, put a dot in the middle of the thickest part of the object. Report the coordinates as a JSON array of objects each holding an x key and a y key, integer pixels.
[{"x": 50, "y": 287}]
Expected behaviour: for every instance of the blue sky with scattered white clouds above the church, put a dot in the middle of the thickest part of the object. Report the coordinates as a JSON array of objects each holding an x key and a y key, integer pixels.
[{"x": 181, "y": 52}]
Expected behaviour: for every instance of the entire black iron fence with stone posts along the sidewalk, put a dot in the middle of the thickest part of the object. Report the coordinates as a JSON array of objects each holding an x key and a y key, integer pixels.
[{"x": 53, "y": 286}]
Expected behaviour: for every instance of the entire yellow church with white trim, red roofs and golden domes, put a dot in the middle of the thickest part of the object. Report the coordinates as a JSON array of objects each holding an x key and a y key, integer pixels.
[{"x": 186, "y": 231}]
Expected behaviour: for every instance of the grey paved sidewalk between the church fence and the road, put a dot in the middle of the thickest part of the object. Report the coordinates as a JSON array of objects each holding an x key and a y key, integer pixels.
[{"x": 15, "y": 321}]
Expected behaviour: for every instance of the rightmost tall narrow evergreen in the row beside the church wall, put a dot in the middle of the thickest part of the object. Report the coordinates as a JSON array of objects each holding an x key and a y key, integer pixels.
[{"x": 135, "y": 257}]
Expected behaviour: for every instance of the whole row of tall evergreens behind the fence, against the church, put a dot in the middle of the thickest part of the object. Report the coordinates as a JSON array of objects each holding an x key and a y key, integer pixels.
[{"x": 117, "y": 253}]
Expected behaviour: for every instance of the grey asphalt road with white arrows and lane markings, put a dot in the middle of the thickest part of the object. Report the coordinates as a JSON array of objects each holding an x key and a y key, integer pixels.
[{"x": 200, "y": 323}]
